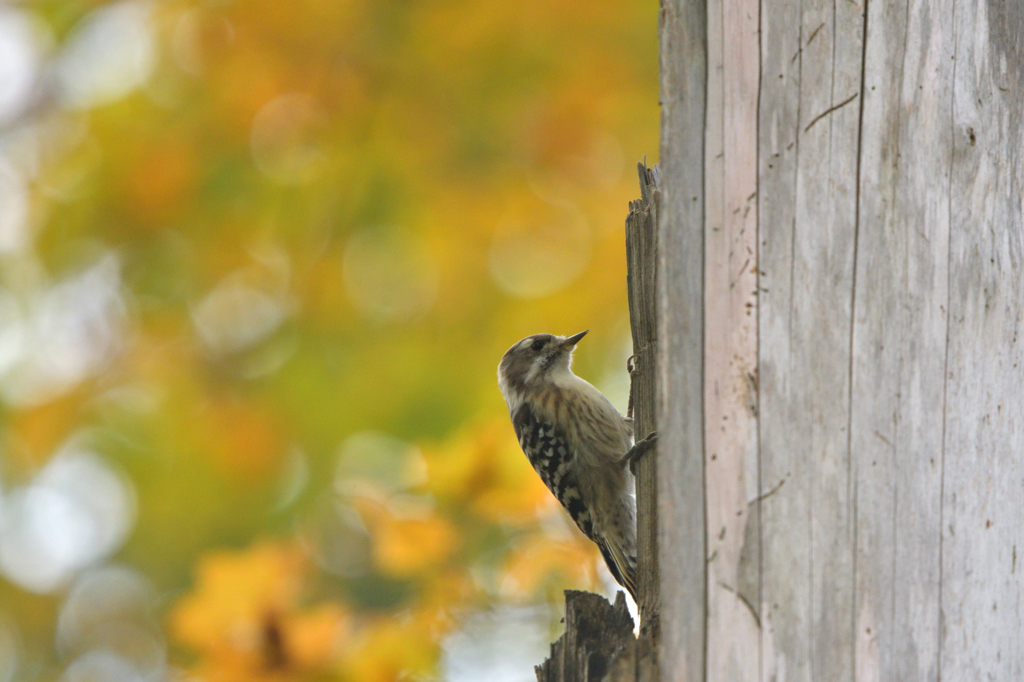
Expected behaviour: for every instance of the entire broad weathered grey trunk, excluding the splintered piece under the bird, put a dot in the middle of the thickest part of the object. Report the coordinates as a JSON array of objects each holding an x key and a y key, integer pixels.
[{"x": 887, "y": 464}]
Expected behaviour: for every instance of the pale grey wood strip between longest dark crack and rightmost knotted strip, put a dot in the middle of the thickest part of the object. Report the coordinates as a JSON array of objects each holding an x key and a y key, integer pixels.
[{"x": 901, "y": 337}]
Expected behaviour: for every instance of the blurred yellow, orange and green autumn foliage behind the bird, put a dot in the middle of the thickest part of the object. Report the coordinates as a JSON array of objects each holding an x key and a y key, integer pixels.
[{"x": 259, "y": 264}]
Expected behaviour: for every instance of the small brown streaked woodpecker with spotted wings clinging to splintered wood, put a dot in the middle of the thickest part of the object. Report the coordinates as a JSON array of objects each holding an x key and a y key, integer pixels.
[{"x": 578, "y": 443}]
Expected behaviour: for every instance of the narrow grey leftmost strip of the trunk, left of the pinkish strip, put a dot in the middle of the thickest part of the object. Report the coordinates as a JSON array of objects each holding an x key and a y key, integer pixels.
[{"x": 682, "y": 567}]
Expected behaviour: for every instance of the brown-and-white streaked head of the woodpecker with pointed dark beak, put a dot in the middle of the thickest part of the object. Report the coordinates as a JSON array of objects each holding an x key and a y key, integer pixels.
[{"x": 536, "y": 363}]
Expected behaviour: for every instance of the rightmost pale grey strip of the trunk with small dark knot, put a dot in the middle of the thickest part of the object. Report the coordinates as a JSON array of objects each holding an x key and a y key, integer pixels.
[{"x": 983, "y": 610}]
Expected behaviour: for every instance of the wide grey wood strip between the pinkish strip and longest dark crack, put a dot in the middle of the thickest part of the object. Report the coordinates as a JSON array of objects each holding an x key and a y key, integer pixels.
[{"x": 808, "y": 149}]
